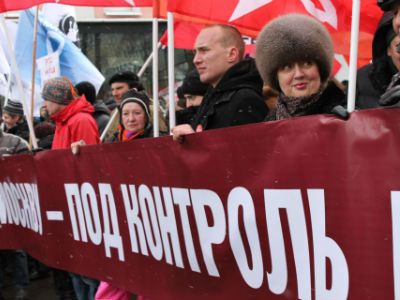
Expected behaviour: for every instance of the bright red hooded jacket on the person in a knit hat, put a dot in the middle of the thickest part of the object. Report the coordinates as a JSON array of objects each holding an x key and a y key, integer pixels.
[{"x": 75, "y": 122}]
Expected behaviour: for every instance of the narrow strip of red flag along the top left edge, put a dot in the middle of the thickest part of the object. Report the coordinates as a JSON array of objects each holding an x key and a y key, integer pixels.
[{"x": 6, "y": 5}]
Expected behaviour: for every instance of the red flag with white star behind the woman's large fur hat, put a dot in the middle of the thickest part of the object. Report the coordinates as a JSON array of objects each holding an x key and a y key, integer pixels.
[{"x": 253, "y": 15}]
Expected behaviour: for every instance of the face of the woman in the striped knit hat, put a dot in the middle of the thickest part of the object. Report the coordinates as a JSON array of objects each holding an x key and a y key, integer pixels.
[{"x": 133, "y": 117}]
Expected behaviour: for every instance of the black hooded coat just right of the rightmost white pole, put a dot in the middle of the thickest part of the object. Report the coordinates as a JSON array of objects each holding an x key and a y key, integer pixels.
[{"x": 374, "y": 78}]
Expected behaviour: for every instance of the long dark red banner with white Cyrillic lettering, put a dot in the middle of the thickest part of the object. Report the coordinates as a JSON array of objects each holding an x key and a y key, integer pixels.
[{"x": 307, "y": 208}]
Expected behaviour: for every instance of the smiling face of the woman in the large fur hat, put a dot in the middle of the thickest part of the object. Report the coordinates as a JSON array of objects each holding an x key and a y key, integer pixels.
[{"x": 300, "y": 79}]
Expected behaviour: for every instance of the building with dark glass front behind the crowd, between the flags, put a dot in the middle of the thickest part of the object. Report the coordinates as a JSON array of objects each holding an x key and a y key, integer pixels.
[{"x": 120, "y": 38}]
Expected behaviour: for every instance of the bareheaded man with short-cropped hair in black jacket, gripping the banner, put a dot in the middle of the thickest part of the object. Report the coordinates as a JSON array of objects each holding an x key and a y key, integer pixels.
[{"x": 235, "y": 95}]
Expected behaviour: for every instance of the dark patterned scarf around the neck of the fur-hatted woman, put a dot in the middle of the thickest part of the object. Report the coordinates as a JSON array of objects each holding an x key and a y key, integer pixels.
[{"x": 288, "y": 107}]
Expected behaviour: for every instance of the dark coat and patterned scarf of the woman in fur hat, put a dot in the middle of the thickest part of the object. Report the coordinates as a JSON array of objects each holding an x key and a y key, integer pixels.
[{"x": 320, "y": 103}]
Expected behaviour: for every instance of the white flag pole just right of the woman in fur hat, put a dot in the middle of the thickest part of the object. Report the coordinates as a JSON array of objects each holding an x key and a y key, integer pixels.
[{"x": 355, "y": 26}]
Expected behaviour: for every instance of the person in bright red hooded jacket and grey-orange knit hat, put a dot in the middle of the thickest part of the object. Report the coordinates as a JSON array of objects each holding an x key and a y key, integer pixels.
[{"x": 71, "y": 113}]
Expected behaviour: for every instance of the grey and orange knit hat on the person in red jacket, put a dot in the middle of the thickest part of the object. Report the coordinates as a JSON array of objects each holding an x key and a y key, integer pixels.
[{"x": 59, "y": 90}]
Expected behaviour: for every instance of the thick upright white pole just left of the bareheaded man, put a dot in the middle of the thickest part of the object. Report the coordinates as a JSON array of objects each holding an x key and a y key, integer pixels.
[{"x": 171, "y": 70}]
